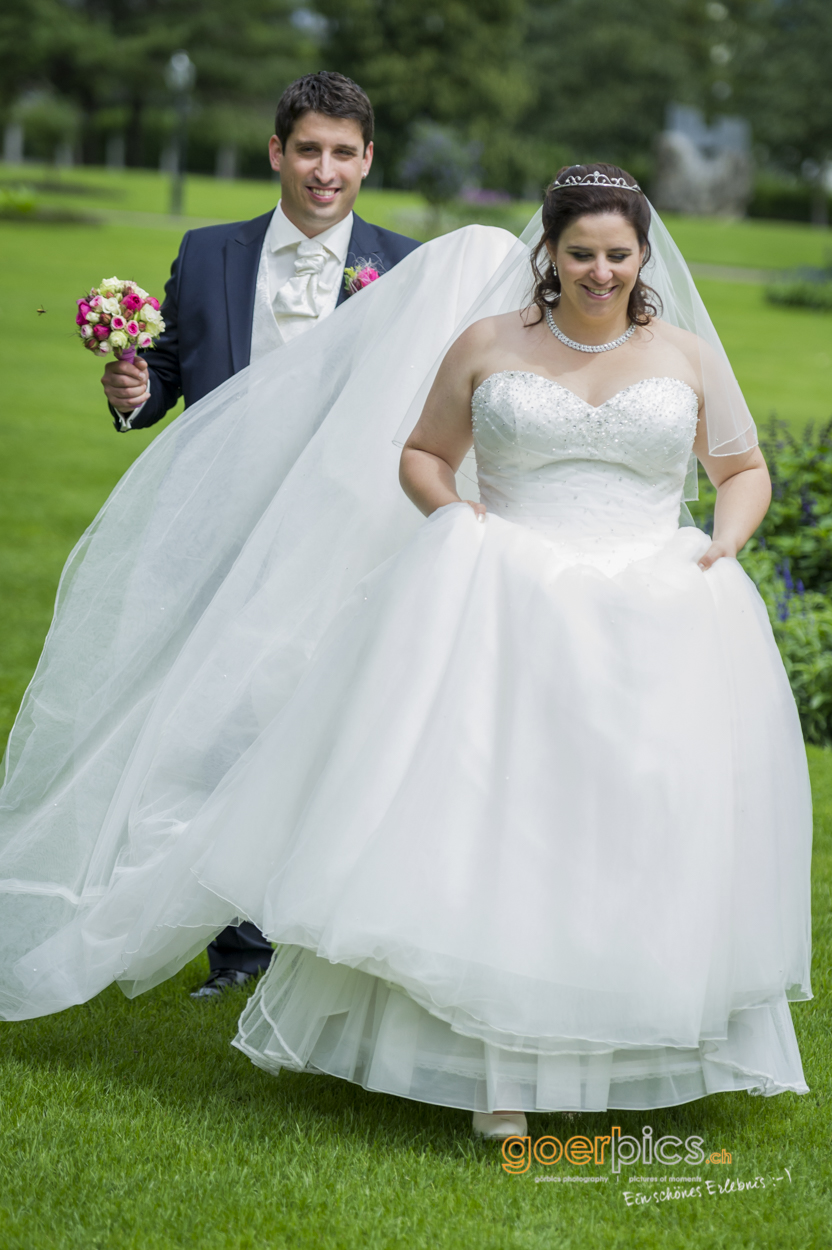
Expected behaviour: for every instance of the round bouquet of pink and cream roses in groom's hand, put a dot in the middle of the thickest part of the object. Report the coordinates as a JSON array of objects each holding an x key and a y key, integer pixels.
[{"x": 118, "y": 317}]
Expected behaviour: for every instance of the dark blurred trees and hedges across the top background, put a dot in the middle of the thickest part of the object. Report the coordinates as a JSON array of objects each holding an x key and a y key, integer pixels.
[{"x": 528, "y": 84}]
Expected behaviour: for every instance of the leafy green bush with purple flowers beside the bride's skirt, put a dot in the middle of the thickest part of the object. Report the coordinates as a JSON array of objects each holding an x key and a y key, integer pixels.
[{"x": 790, "y": 561}]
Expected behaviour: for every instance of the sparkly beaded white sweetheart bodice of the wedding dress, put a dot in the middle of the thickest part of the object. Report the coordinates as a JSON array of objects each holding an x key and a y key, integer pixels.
[{"x": 590, "y": 476}]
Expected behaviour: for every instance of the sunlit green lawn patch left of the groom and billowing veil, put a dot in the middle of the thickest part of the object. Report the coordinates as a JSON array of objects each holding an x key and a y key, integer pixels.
[{"x": 59, "y": 454}]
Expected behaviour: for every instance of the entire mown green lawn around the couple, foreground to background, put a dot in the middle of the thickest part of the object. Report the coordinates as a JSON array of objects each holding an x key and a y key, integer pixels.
[{"x": 134, "y": 1124}]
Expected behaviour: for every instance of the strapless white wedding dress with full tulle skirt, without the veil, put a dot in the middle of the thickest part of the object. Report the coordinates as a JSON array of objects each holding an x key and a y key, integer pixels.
[{"x": 534, "y": 829}]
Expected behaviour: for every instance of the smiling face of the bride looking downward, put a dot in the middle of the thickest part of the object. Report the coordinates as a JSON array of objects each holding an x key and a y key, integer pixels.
[{"x": 598, "y": 259}]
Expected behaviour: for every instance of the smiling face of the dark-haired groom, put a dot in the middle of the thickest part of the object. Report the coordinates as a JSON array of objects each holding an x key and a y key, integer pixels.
[{"x": 322, "y": 169}]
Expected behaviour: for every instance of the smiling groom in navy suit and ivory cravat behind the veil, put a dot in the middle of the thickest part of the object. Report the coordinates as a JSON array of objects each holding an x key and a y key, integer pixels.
[{"x": 237, "y": 292}]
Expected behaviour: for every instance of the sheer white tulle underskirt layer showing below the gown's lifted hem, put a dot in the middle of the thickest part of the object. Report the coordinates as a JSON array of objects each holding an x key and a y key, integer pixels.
[{"x": 312, "y": 1016}]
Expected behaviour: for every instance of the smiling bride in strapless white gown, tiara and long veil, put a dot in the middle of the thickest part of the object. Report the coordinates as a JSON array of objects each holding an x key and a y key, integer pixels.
[{"x": 519, "y": 791}]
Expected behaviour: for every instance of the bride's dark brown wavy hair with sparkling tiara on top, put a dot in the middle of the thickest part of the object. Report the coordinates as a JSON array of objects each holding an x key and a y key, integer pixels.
[{"x": 565, "y": 203}]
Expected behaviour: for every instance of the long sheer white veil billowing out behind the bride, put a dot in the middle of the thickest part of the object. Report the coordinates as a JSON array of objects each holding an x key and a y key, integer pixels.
[{"x": 189, "y": 611}]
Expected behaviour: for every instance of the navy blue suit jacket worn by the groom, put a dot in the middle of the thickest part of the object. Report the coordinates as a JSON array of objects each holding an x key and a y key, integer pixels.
[{"x": 209, "y": 307}]
